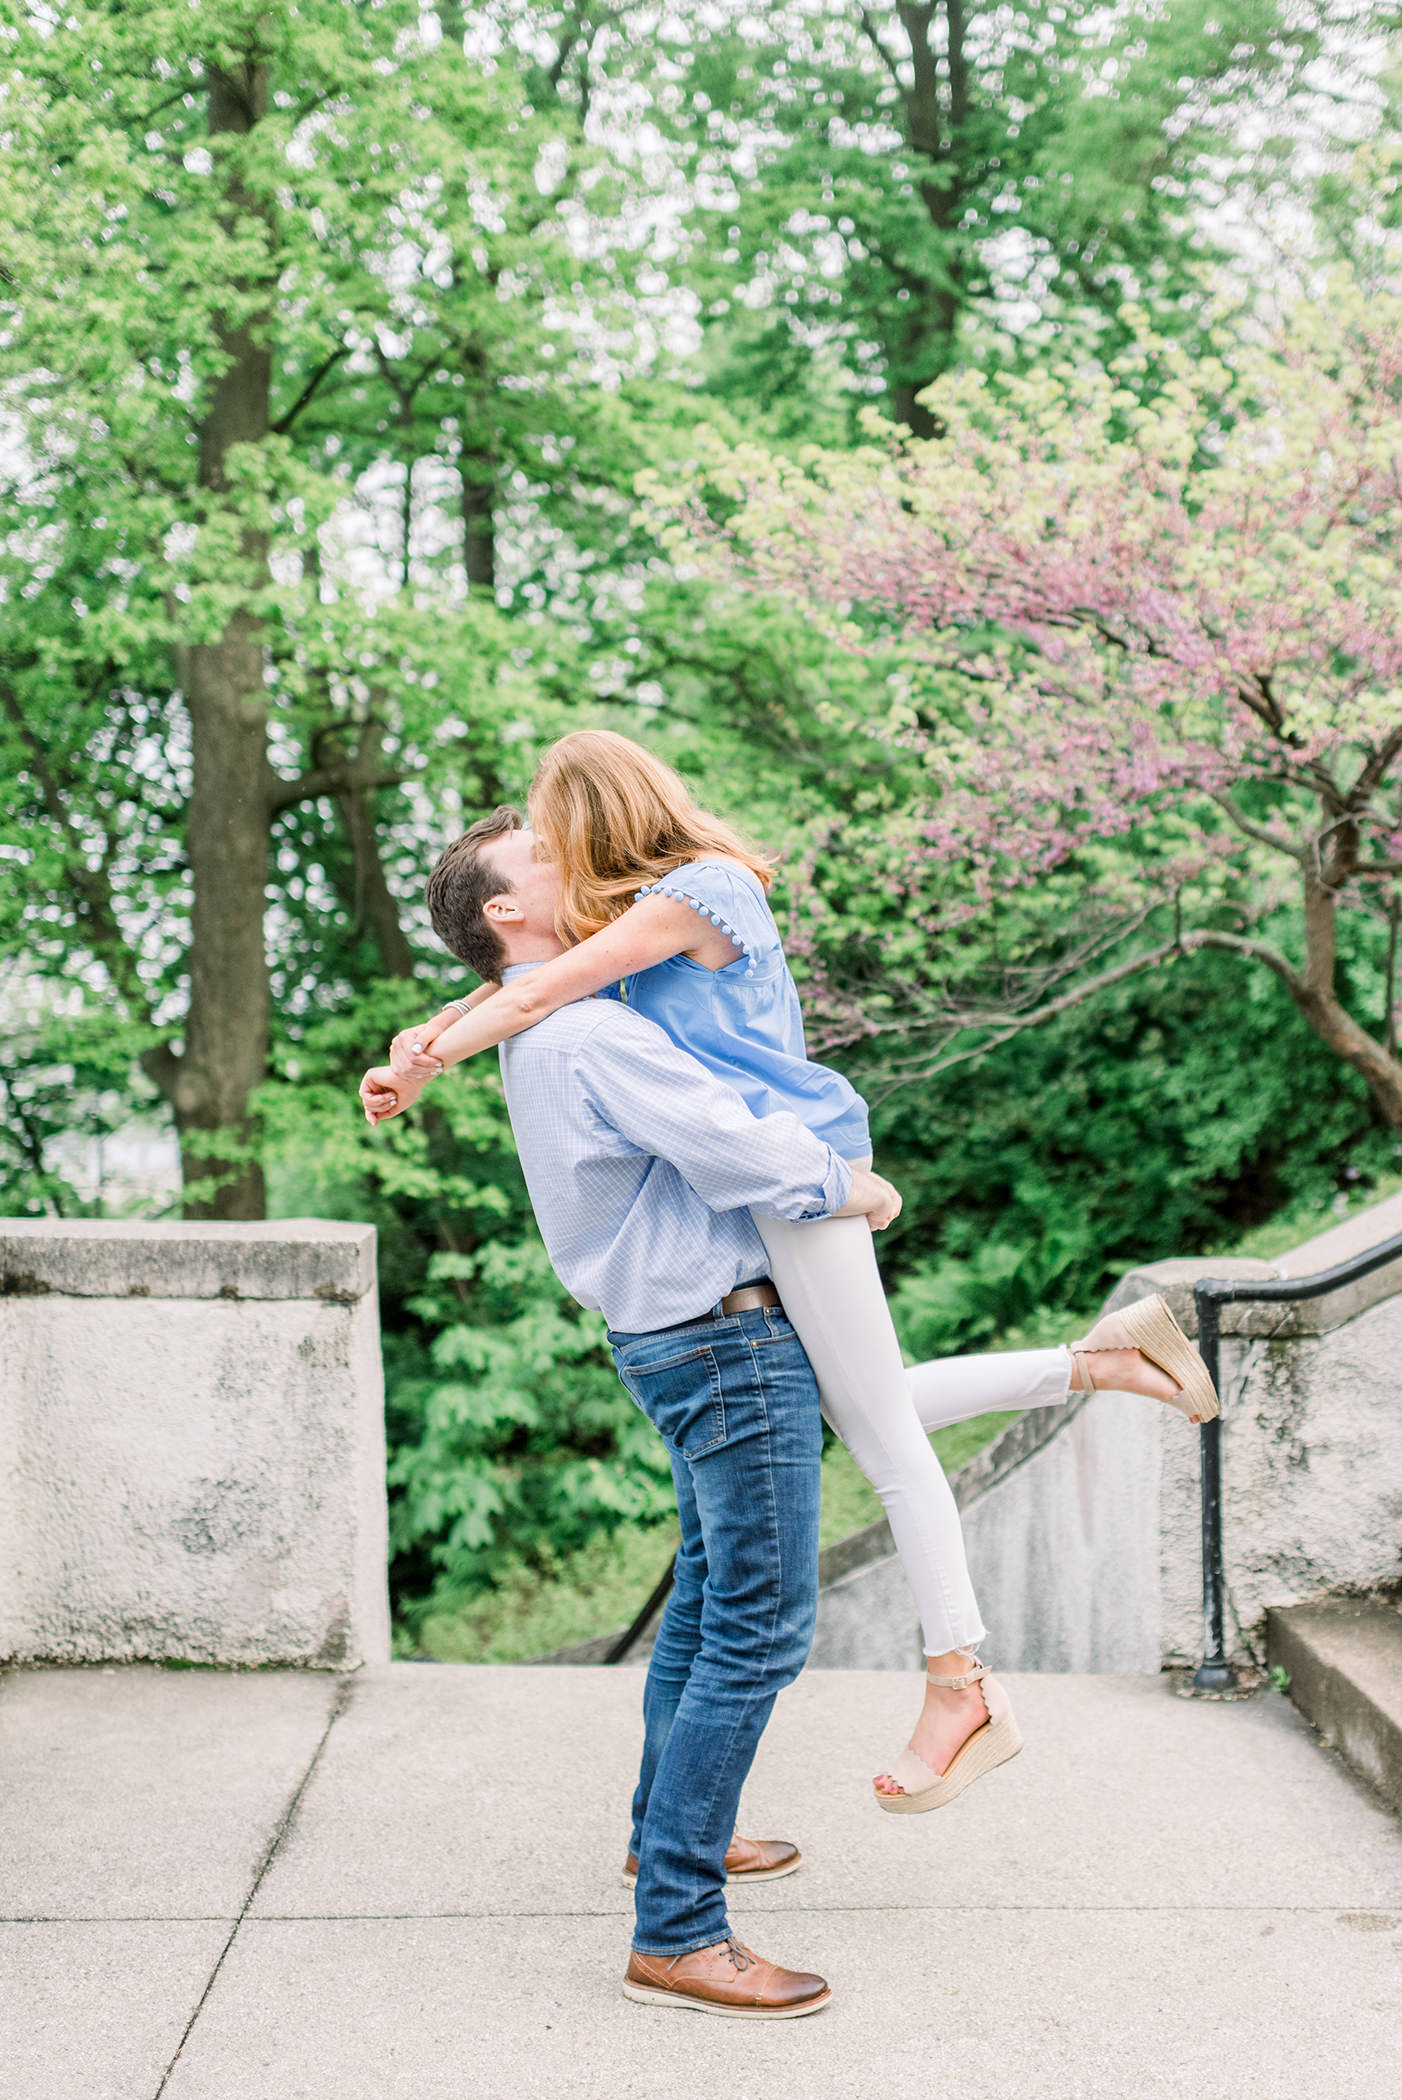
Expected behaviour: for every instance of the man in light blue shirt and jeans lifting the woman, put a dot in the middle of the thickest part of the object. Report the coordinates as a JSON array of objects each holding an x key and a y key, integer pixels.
[{"x": 643, "y": 1171}]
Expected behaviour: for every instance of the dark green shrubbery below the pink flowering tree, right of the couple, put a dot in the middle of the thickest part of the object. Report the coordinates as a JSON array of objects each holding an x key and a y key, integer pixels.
[{"x": 1170, "y": 1116}]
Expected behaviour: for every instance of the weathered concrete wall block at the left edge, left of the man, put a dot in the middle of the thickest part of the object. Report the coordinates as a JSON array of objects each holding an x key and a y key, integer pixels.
[{"x": 192, "y": 1444}]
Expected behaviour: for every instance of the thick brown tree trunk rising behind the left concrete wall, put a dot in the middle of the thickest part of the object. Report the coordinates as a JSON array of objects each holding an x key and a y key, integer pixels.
[{"x": 228, "y": 828}]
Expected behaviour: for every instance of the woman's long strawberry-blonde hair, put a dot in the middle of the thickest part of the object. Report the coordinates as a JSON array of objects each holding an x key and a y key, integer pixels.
[{"x": 616, "y": 818}]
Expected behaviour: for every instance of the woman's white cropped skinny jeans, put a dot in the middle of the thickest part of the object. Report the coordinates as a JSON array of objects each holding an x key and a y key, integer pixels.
[{"x": 832, "y": 1290}]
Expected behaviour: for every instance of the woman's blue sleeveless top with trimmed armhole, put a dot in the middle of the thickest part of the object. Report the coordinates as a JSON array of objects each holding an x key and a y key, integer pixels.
[{"x": 744, "y": 1022}]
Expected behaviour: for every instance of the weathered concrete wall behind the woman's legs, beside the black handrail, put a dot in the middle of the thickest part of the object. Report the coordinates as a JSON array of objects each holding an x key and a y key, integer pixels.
[{"x": 1084, "y": 1521}]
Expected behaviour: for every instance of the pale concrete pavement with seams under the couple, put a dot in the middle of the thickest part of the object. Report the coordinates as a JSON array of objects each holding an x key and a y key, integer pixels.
[{"x": 404, "y": 1887}]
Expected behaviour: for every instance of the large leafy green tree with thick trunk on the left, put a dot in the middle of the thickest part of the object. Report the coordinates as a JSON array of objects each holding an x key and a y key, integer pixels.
[{"x": 272, "y": 261}]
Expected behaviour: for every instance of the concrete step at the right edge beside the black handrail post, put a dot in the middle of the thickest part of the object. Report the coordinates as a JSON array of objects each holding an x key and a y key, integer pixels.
[{"x": 1346, "y": 1677}]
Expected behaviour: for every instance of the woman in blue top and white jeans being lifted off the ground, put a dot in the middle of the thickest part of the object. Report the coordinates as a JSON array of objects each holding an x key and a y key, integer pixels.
[{"x": 673, "y": 902}]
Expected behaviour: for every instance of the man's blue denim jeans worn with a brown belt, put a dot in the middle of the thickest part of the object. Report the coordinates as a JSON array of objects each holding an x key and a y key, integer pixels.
[{"x": 738, "y": 1406}]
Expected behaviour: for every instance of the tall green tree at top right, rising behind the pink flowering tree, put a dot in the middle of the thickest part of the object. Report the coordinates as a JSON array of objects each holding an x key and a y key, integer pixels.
[{"x": 891, "y": 192}]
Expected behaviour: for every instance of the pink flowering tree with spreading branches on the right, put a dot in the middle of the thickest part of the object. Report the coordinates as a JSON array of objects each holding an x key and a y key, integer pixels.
[{"x": 1149, "y": 629}]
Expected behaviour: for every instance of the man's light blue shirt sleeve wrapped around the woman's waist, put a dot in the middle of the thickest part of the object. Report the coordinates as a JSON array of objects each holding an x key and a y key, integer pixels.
[{"x": 671, "y": 1106}]
